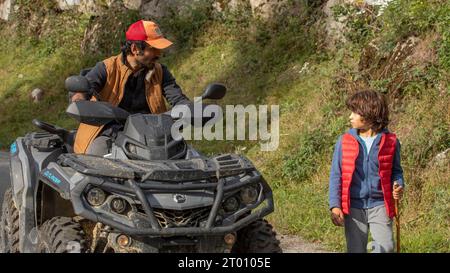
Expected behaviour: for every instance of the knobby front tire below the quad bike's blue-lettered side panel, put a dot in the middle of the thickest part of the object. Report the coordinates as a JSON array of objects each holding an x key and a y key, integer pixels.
[{"x": 61, "y": 235}]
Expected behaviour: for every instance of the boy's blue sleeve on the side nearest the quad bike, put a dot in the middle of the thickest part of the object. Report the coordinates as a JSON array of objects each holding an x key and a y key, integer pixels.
[{"x": 335, "y": 187}]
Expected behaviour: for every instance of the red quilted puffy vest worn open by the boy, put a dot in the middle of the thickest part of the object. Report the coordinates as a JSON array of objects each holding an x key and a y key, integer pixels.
[{"x": 350, "y": 151}]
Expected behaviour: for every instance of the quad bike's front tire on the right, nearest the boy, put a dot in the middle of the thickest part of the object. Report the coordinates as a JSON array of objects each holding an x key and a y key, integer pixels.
[{"x": 258, "y": 237}]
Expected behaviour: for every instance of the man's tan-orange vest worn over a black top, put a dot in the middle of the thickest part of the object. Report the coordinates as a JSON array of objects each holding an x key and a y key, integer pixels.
[{"x": 117, "y": 75}]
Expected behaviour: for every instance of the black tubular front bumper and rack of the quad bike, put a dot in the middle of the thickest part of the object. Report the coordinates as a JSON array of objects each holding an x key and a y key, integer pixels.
[{"x": 140, "y": 184}]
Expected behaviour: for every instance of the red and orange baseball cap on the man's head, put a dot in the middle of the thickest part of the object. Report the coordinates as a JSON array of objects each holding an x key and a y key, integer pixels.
[{"x": 149, "y": 32}]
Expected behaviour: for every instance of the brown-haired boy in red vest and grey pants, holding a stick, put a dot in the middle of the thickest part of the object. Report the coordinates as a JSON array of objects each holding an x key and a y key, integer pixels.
[{"x": 365, "y": 167}]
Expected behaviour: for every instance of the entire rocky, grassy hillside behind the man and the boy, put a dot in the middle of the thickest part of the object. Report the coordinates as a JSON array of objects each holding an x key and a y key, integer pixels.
[{"x": 306, "y": 56}]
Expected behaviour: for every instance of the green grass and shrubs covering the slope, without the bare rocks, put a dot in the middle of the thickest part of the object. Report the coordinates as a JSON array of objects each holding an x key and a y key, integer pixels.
[{"x": 261, "y": 63}]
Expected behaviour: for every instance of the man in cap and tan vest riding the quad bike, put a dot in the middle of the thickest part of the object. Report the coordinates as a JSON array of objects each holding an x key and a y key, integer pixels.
[{"x": 132, "y": 80}]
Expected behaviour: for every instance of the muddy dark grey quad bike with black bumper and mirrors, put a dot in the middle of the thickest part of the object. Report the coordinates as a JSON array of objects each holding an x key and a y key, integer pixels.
[{"x": 151, "y": 193}]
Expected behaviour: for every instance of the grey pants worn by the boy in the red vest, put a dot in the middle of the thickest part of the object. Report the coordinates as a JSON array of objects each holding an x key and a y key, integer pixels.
[{"x": 357, "y": 225}]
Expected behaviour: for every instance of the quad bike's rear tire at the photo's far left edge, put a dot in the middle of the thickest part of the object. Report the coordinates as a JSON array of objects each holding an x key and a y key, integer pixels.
[{"x": 9, "y": 225}]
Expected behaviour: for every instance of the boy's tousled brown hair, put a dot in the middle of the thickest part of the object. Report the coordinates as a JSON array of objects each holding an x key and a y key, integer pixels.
[{"x": 372, "y": 106}]
